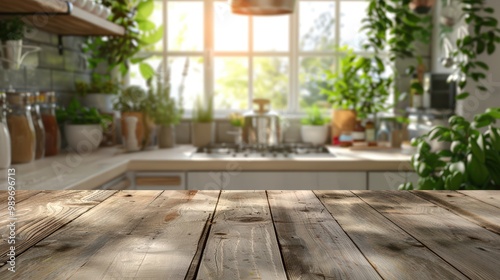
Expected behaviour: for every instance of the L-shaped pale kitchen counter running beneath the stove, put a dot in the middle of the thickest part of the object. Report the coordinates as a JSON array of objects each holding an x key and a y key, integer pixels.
[{"x": 87, "y": 171}]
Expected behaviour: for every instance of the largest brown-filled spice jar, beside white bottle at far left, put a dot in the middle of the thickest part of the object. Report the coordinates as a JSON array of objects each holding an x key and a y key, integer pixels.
[{"x": 21, "y": 129}]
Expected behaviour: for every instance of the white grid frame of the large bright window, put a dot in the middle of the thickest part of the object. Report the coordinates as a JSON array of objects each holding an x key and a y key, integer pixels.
[{"x": 293, "y": 54}]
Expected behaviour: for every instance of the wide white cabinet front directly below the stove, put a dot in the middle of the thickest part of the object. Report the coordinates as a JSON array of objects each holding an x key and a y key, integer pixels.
[{"x": 269, "y": 180}]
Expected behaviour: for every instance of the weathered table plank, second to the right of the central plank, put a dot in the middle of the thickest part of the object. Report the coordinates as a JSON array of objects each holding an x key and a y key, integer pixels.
[{"x": 394, "y": 253}]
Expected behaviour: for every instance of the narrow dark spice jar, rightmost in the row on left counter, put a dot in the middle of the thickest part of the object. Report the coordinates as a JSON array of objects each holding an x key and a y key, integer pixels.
[{"x": 47, "y": 102}]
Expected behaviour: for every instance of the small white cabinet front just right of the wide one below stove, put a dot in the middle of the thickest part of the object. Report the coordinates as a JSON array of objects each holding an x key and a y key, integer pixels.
[{"x": 341, "y": 181}]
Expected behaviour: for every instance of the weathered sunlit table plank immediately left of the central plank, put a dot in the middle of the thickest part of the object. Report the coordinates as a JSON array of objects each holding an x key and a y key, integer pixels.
[{"x": 161, "y": 246}]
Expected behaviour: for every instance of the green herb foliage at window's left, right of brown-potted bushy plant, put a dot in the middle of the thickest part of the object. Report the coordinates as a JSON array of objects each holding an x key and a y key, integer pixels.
[{"x": 160, "y": 106}]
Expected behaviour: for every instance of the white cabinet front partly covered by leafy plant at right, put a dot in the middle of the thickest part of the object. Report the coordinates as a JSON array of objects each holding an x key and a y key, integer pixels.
[{"x": 390, "y": 180}]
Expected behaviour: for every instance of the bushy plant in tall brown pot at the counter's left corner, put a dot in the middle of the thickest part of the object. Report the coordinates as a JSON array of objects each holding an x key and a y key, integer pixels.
[{"x": 130, "y": 103}]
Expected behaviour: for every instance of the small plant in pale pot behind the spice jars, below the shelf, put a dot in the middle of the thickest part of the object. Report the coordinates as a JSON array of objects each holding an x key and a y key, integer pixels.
[{"x": 100, "y": 93}]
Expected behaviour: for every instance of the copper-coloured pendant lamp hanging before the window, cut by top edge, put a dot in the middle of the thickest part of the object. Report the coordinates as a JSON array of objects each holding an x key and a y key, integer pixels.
[{"x": 262, "y": 7}]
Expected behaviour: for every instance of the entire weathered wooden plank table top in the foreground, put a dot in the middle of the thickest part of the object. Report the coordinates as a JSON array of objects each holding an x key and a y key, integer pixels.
[{"x": 253, "y": 235}]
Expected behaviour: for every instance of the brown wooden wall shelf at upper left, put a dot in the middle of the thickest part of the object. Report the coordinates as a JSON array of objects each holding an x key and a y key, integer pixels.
[{"x": 61, "y": 18}]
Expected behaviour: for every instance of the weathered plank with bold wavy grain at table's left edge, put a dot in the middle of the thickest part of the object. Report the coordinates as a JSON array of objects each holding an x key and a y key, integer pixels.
[{"x": 43, "y": 214}]
